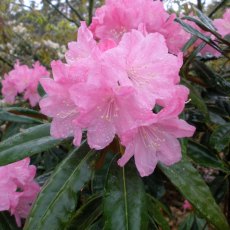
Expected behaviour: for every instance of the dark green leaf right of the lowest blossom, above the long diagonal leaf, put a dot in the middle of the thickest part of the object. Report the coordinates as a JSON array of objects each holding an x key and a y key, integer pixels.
[{"x": 203, "y": 156}]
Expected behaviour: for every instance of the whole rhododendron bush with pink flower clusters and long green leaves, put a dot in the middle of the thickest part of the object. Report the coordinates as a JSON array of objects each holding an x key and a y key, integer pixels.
[{"x": 134, "y": 118}]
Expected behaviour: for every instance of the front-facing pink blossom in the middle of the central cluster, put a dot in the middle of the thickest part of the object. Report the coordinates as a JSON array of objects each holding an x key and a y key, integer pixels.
[{"x": 108, "y": 110}]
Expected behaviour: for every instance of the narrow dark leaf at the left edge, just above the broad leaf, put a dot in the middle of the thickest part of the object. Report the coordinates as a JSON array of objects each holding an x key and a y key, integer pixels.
[{"x": 6, "y": 116}]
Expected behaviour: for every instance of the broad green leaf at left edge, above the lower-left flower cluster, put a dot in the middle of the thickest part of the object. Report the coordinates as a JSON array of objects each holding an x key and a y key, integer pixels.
[{"x": 27, "y": 143}]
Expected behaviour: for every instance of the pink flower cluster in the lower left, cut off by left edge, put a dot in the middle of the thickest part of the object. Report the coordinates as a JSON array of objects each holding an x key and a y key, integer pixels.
[{"x": 18, "y": 189}]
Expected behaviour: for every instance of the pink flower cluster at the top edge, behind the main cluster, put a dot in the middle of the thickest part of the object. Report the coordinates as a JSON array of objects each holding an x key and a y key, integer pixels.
[{"x": 115, "y": 18}]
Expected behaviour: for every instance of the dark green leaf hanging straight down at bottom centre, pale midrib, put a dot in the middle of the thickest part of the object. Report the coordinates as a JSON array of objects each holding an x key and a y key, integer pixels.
[{"x": 125, "y": 199}]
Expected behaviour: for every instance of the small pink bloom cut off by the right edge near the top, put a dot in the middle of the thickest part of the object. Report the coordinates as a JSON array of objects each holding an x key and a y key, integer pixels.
[{"x": 223, "y": 24}]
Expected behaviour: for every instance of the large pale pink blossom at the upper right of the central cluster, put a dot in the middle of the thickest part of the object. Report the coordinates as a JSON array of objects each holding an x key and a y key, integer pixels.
[{"x": 143, "y": 62}]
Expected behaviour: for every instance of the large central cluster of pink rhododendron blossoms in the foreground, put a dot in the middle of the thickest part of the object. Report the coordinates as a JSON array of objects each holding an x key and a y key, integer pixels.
[{"x": 113, "y": 87}]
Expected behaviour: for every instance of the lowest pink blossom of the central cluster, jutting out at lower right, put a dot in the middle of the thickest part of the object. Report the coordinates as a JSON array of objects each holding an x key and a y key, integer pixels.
[{"x": 157, "y": 141}]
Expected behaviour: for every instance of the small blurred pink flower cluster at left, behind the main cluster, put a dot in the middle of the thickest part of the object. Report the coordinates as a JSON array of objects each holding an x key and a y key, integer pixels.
[{"x": 23, "y": 79}]
